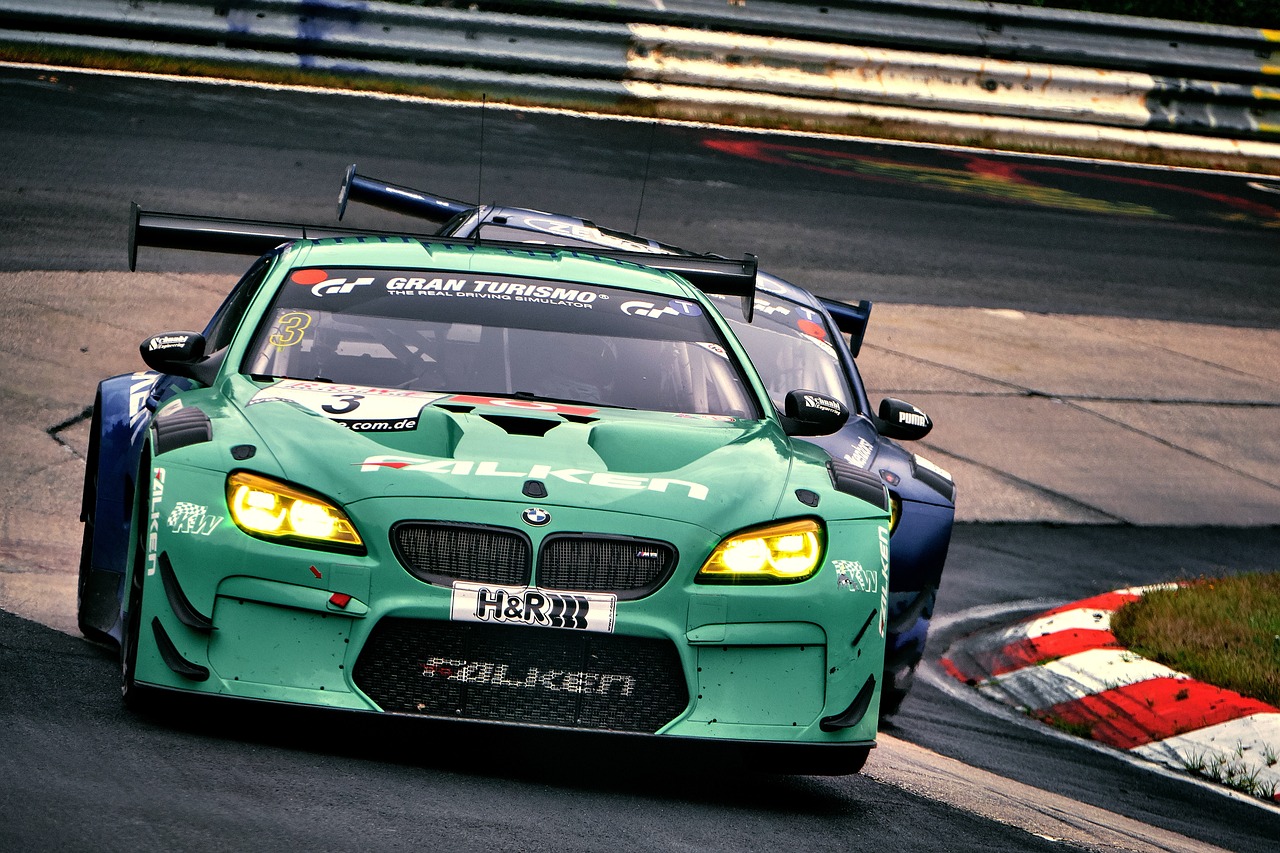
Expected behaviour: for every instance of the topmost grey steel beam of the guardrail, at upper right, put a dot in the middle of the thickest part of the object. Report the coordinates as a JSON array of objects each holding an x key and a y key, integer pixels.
[{"x": 962, "y": 28}]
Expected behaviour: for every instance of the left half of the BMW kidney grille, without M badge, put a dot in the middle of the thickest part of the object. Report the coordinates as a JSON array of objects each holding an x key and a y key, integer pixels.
[{"x": 447, "y": 553}]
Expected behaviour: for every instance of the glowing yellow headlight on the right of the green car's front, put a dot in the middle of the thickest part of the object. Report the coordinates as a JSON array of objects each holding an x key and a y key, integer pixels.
[{"x": 779, "y": 554}]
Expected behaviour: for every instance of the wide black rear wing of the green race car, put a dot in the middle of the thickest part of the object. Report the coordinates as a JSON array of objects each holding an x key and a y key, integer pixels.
[{"x": 257, "y": 238}]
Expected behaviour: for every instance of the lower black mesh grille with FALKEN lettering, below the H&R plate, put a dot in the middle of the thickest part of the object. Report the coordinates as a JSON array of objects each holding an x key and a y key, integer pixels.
[{"x": 527, "y": 676}]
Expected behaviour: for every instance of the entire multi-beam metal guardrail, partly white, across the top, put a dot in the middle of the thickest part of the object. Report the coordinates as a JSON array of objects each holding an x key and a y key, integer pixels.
[{"x": 612, "y": 62}]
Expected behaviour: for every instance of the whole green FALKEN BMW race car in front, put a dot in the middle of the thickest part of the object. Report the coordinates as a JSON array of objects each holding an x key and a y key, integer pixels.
[{"x": 484, "y": 482}]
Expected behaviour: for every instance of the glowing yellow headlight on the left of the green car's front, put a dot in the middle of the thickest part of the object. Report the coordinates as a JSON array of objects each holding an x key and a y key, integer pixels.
[{"x": 280, "y": 513}]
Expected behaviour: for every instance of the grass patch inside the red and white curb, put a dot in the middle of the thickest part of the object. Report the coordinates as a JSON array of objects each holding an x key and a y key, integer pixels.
[{"x": 1224, "y": 632}]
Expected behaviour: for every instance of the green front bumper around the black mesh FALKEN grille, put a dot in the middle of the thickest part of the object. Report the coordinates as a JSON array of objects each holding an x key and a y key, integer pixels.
[{"x": 789, "y": 664}]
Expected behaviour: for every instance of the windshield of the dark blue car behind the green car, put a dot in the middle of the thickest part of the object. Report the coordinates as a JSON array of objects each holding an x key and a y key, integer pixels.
[{"x": 790, "y": 345}]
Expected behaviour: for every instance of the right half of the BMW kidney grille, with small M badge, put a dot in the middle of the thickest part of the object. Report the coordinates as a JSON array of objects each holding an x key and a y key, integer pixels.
[{"x": 630, "y": 568}]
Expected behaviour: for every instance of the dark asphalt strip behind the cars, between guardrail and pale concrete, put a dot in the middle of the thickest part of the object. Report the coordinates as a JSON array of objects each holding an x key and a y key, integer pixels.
[{"x": 848, "y": 220}]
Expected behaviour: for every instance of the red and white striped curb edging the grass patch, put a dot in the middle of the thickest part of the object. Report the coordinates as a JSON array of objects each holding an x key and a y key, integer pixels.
[{"x": 1066, "y": 668}]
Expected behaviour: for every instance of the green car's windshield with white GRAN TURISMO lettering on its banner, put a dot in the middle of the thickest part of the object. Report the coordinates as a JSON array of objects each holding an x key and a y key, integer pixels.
[{"x": 463, "y": 332}]
